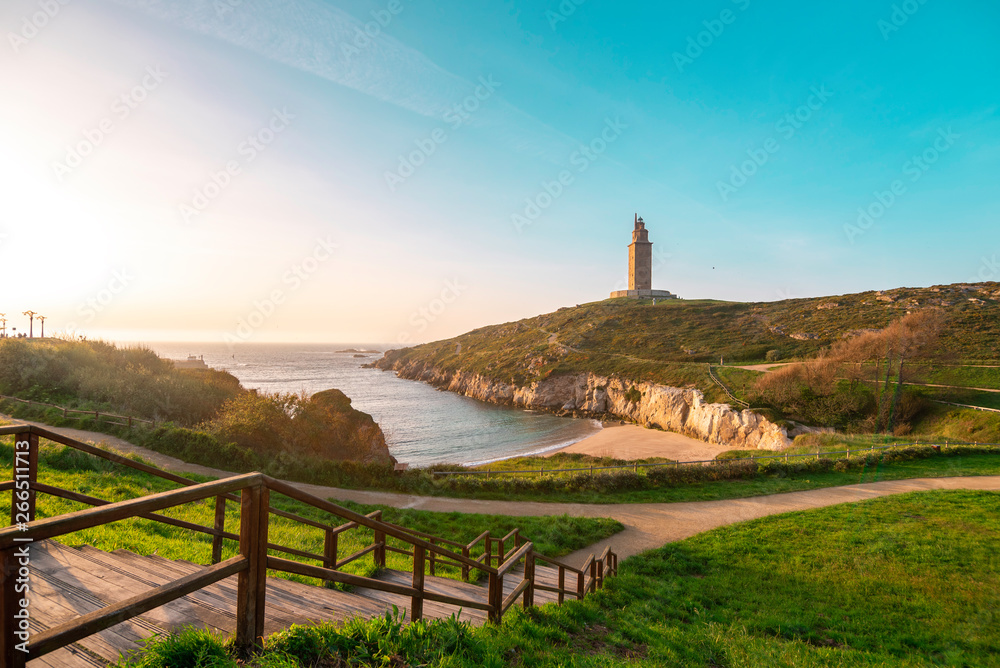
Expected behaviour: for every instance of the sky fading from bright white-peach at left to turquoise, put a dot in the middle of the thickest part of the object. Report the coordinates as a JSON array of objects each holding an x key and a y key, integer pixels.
[{"x": 272, "y": 173}]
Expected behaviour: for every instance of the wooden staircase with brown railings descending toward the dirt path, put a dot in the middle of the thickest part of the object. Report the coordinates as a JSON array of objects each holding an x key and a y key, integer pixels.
[{"x": 87, "y": 607}]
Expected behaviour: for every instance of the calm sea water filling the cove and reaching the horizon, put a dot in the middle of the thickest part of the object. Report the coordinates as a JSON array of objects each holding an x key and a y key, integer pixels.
[{"x": 422, "y": 425}]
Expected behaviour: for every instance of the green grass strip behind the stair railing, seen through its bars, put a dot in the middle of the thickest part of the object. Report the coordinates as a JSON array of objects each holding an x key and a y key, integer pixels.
[{"x": 63, "y": 467}]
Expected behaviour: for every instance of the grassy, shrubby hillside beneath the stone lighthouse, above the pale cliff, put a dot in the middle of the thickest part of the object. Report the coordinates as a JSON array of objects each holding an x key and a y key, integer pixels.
[{"x": 859, "y": 357}]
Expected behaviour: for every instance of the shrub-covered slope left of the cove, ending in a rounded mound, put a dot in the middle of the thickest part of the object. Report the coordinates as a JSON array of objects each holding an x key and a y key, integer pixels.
[{"x": 206, "y": 415}]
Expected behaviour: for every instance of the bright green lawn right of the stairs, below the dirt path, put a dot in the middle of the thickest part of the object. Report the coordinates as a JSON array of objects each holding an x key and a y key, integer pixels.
[{"x": 909, "y": 580}]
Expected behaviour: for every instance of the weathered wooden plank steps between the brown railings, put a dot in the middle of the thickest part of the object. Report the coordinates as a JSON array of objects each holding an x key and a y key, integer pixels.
[{"x": 68, "y": 582}]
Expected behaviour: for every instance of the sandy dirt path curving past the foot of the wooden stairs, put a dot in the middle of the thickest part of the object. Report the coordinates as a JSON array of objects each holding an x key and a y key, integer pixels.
[{"x": 647, "y": 525}]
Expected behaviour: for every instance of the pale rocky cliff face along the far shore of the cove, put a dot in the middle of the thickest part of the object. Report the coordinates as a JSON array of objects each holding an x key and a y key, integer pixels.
[{"x": 683, "y": 411}]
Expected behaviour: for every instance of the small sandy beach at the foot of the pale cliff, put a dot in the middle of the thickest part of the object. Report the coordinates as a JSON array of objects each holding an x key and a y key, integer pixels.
[{"x": 633, "y": 442}]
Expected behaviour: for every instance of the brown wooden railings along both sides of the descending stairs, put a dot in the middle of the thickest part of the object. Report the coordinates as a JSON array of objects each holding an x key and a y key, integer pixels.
[{"x": 252, "y": 491}]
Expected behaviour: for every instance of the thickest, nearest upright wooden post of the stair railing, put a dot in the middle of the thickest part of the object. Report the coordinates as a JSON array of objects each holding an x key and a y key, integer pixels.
[{"x": 252, "y": 582}]
